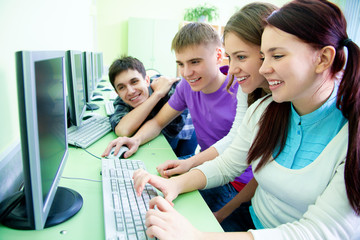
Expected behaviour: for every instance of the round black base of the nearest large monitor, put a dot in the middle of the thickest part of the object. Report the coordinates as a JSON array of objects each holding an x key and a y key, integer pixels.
[{"x": 66, "y": 204}]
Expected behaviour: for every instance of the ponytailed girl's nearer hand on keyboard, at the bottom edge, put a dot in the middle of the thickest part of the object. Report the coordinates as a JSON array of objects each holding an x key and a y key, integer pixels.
[{"x": 166, "y": 223}]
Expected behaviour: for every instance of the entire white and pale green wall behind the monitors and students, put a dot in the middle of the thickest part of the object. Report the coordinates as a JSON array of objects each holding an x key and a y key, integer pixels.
[{"x": 80, "y": 25}]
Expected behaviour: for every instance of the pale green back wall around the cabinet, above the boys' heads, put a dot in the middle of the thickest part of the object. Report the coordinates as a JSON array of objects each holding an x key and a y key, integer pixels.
[{"x": 113, "y": 18}]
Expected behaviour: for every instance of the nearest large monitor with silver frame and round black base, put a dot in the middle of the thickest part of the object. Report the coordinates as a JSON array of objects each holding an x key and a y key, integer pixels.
[{"x": 44, "y": 146}]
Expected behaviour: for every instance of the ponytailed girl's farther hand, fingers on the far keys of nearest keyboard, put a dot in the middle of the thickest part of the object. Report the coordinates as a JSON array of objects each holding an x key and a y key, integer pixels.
[{"x": 141, "y": 177}]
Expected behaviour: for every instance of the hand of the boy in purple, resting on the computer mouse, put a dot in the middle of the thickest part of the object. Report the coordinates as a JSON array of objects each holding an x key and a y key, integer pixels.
[{"x": 131, "y": 143}]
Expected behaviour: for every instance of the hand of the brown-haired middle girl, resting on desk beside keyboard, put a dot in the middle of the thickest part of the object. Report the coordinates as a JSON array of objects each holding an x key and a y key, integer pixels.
[{"x": 173, "y": 167}]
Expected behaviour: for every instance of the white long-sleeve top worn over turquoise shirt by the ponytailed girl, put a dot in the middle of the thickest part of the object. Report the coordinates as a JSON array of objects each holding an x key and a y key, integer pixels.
[{"x": 307, "y": 203}]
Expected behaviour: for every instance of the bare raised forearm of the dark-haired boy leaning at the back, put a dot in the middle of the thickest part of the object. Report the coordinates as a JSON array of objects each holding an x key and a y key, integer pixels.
[{"x": 131, "y": 122}]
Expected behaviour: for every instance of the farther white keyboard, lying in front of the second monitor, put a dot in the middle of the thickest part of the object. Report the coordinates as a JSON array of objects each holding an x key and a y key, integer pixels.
[{"x": 90, "y": 131}]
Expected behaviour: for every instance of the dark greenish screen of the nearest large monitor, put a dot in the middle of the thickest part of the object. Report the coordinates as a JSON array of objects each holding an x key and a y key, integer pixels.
[{"x": 50, "y": 119}]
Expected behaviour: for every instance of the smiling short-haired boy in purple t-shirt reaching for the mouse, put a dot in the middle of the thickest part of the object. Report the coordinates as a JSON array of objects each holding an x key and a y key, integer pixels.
[{"x": 202, "y": 90}]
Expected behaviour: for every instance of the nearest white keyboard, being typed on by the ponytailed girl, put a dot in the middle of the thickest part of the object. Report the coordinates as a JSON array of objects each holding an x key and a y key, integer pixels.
[{"x": 124, "y": 211}]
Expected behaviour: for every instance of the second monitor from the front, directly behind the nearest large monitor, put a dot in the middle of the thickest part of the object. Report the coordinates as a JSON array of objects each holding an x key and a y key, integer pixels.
[{"x": 75, "y": 87}]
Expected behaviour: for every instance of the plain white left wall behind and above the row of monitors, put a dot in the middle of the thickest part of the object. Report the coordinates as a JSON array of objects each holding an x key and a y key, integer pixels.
[{"x": 37, "y": 25}]
